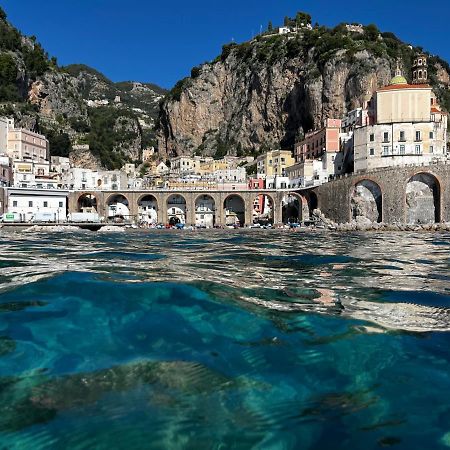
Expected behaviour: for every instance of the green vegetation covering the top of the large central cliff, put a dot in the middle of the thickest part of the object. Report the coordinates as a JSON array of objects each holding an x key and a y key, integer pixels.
[{"x": 317, "y": 46}]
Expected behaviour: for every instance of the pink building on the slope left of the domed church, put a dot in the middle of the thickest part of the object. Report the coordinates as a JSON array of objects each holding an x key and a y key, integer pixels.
[{"x": 317, "y": 143}]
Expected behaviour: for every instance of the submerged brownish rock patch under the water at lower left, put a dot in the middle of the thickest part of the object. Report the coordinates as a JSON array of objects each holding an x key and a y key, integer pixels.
[{"x": 42, "y": 397}]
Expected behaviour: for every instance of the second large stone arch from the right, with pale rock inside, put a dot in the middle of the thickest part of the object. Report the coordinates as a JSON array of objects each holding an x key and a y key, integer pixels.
[{"x": 366, "y": 201}]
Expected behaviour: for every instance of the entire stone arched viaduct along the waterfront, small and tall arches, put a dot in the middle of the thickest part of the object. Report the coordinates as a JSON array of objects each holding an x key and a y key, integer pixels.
[{"x": 412, "y": 194}]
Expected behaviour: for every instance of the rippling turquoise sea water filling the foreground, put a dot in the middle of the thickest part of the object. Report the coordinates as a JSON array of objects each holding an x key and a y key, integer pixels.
[{"x": 224, "y": 339}]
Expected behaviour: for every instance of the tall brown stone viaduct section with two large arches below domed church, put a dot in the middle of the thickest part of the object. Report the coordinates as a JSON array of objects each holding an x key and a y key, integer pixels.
[{"x": 410, "y": 194}]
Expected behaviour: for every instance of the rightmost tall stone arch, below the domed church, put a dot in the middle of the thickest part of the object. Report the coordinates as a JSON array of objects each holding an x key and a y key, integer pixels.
[{"x": 423, "y": 199}]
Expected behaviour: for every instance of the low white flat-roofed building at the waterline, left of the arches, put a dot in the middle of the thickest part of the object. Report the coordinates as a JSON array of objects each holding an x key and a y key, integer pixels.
[{"x": 36, "y": 205}]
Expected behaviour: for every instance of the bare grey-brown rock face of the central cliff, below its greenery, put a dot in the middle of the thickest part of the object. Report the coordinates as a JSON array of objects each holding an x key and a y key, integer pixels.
[{"x": 265, "y": 105}]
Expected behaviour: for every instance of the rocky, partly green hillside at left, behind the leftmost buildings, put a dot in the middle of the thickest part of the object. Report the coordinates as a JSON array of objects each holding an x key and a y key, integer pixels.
[{"x": 75, "y": 104}]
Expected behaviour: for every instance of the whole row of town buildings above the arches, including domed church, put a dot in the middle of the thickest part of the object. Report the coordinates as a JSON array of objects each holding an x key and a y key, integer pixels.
[{"x": 400, "y": 124}]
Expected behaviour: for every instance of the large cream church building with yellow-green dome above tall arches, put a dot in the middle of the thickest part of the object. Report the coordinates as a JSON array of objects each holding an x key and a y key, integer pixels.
[{"x": 407, "y": 127}]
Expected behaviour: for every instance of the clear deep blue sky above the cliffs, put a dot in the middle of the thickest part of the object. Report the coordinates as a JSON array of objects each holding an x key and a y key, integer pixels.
[{"x": 161, "y": 41}]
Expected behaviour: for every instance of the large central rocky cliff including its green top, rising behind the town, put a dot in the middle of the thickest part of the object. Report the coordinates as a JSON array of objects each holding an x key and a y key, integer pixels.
[{"x": 267, "y": 92}]
